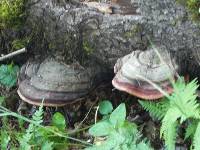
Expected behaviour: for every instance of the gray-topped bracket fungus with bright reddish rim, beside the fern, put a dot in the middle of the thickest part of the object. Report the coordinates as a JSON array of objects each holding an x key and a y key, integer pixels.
[{"x": 135, "y": 70}]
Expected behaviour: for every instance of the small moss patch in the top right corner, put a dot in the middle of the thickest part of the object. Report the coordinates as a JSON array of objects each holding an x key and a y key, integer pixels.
[{"x": 193, "y": 7}]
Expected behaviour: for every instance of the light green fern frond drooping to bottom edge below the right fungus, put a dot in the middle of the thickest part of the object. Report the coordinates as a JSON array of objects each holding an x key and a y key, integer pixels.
[{"x": 168, "y": 128}]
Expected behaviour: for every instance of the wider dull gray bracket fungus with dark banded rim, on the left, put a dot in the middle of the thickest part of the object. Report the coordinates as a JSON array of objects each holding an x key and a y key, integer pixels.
[{"x": 57, "y": 83}]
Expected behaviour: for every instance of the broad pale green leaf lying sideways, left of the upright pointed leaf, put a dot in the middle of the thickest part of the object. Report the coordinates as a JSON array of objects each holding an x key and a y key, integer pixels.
[{"x": 102, "y": 128}]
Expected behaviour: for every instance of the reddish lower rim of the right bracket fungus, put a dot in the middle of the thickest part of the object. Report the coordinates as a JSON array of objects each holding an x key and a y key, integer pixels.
[{"x": 141, "y": 91}]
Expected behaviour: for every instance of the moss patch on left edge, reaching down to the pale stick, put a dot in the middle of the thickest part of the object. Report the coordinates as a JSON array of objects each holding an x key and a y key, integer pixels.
[{"x": 12, "y": 19}]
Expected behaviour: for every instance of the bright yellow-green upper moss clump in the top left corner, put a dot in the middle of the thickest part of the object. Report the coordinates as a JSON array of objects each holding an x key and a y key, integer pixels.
[{"x": 12, "y": 13}]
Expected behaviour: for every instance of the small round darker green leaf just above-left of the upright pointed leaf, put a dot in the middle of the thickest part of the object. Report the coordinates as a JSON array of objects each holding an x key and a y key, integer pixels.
[{"x": 105, "y": 107}]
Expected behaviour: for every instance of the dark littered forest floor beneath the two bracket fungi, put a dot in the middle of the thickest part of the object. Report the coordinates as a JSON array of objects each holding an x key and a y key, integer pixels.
[{"x": 81, "y": 115}]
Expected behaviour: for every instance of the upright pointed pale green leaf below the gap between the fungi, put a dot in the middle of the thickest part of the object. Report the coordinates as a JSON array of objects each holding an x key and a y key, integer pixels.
[{"x": 118, "y": 116}]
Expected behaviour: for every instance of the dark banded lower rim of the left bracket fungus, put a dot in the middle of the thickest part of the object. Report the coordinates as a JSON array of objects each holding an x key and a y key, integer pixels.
[{"x": 34, "y": 96}]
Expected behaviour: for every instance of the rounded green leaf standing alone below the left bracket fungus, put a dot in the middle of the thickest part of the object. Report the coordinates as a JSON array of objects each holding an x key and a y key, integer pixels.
[{"x": 58, "y": 121}]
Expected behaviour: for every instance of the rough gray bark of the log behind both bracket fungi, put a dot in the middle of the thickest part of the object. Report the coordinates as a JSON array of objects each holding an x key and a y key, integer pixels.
[{"x": 70, "y": 31}]
